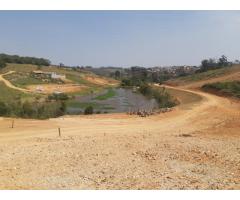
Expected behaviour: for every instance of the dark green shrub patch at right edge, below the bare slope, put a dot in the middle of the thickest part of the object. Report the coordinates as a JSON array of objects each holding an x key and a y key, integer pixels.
[{"x": 231, "y": 88}]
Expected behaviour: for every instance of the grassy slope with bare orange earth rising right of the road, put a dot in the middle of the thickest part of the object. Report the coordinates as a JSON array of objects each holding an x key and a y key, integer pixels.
[{"x": 199, "y": 79}]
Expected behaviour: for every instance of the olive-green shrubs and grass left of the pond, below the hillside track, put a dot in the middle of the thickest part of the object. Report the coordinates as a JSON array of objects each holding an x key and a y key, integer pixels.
[{"x": 14, "y": 103}]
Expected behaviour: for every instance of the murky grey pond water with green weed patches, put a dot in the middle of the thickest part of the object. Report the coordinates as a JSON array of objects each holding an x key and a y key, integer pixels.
[{"x": 122, "y": 100}]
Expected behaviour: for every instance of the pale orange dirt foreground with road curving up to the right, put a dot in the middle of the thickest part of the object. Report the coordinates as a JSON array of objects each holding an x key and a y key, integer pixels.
[{"x": 196, "y": 146}]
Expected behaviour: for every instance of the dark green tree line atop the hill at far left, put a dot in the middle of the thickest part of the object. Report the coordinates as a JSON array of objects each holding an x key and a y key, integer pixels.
[{"x": 5, "y": 58}]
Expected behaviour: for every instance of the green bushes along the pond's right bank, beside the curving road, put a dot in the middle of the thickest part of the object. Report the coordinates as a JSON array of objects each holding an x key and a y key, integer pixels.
[{"x": 163, "y": 98}]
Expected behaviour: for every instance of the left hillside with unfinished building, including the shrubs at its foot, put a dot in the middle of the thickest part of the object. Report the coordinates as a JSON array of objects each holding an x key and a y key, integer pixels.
[{"x": 30, "y": 91}]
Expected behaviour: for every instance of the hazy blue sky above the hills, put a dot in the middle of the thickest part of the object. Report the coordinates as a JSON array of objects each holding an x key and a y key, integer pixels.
[{"x": 121, "y": 38}]
